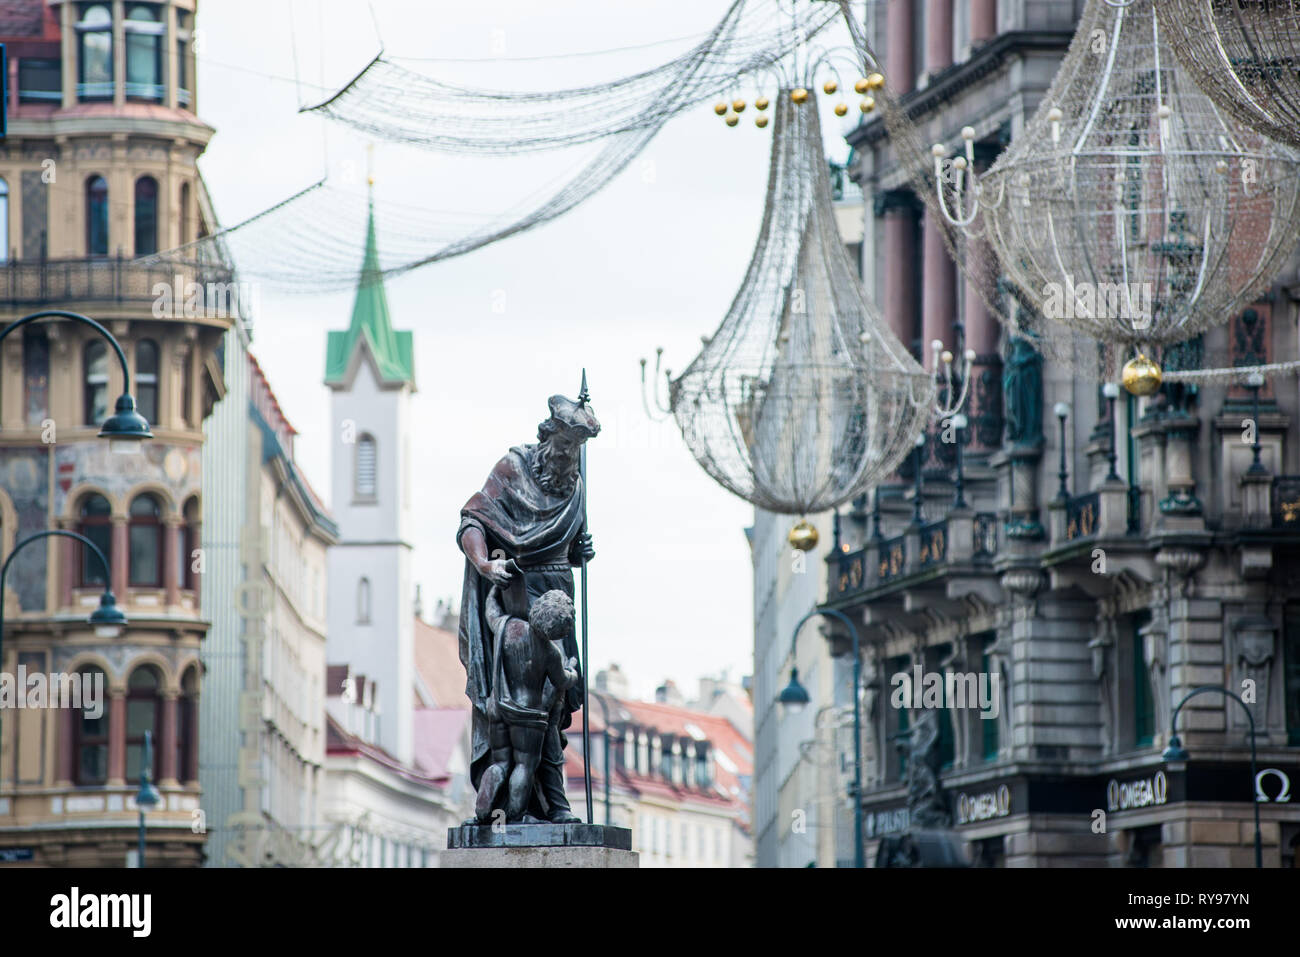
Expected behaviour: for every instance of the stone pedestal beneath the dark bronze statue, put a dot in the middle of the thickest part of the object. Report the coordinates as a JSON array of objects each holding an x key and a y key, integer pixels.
[{"x": 539, "y": 846}]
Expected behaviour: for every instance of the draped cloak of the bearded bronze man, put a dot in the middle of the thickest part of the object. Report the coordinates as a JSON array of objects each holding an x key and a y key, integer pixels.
[{"x": 535, "y": 527}]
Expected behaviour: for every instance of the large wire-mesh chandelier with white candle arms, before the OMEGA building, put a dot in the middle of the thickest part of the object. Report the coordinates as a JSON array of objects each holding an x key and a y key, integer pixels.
[{"x": 1132, "y": 210}]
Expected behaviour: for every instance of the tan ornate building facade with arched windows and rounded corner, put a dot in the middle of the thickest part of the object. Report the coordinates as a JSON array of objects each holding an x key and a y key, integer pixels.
[{"x": 99, "y": 171}]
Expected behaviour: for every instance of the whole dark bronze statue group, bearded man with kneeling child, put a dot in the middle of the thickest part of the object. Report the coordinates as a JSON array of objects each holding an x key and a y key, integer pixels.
[{"x": 522, "y": 535}]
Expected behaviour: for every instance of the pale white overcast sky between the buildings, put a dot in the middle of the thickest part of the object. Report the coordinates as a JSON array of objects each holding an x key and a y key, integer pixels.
[{"x": 655, "y": 259}]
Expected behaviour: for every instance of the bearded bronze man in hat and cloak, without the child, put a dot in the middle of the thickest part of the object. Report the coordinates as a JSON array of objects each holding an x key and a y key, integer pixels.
[{"x": 530, "y": 516}]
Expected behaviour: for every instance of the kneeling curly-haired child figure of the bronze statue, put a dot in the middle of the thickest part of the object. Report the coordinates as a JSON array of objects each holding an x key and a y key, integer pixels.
[{"x": 530, "y": 679}]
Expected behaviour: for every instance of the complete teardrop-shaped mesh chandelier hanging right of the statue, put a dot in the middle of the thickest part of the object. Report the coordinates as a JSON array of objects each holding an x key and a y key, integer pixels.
[{"x": 803, "y": 399}]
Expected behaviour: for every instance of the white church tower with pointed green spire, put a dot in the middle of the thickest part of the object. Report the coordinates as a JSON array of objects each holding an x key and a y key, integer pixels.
[{"x": 371, "y": 373}]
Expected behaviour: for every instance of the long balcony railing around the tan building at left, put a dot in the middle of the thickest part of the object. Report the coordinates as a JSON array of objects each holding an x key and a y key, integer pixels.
[{"x": 53, "y": 282}]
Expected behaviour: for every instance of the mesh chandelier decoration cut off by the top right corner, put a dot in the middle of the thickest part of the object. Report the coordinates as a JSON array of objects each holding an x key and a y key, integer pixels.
[{"x": 1245, "y": 55}]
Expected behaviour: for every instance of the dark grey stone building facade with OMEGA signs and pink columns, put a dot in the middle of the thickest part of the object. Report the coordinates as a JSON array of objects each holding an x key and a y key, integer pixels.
[{"x": 1102, "y": 566}]
